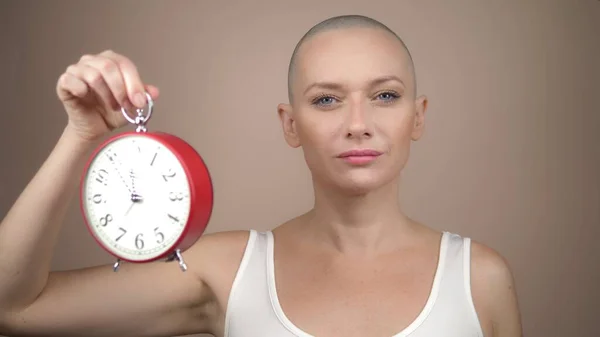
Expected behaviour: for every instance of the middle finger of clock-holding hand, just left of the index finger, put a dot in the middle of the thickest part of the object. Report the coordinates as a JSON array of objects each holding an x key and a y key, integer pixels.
[{"x": 112, "y": 76}]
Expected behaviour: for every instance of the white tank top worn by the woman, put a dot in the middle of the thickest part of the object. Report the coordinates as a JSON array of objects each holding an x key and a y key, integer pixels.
[{"x": 254, "y": 309}]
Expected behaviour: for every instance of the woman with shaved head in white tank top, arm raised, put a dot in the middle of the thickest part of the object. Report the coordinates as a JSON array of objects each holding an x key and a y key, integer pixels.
[{"x": 353, "y": 265}]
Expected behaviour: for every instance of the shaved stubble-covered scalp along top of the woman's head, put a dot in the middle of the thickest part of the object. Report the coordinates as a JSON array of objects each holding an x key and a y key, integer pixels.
[{"x": 336, "y": 23}]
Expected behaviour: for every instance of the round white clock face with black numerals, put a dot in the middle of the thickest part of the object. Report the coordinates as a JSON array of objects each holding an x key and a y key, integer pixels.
[{"x": 136, "y": 197}]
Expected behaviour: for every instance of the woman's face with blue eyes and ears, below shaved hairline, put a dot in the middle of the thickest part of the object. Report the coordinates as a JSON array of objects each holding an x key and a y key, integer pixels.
[{"x": 354, "y": 90}]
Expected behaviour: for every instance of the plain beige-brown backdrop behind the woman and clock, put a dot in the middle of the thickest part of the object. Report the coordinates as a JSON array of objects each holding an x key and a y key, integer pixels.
[{"x": 511, "y": 155}]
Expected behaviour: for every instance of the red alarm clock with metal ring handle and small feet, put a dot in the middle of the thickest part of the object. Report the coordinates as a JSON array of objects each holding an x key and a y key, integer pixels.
[{"x": 146, "y": 196}]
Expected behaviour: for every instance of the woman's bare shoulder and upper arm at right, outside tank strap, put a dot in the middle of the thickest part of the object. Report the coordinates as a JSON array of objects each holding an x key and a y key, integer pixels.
[{"x": 494, "y": 292}]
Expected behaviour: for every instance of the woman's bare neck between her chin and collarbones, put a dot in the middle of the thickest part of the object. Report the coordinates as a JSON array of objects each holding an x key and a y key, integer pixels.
[{"x": 362, "y": 224}]
